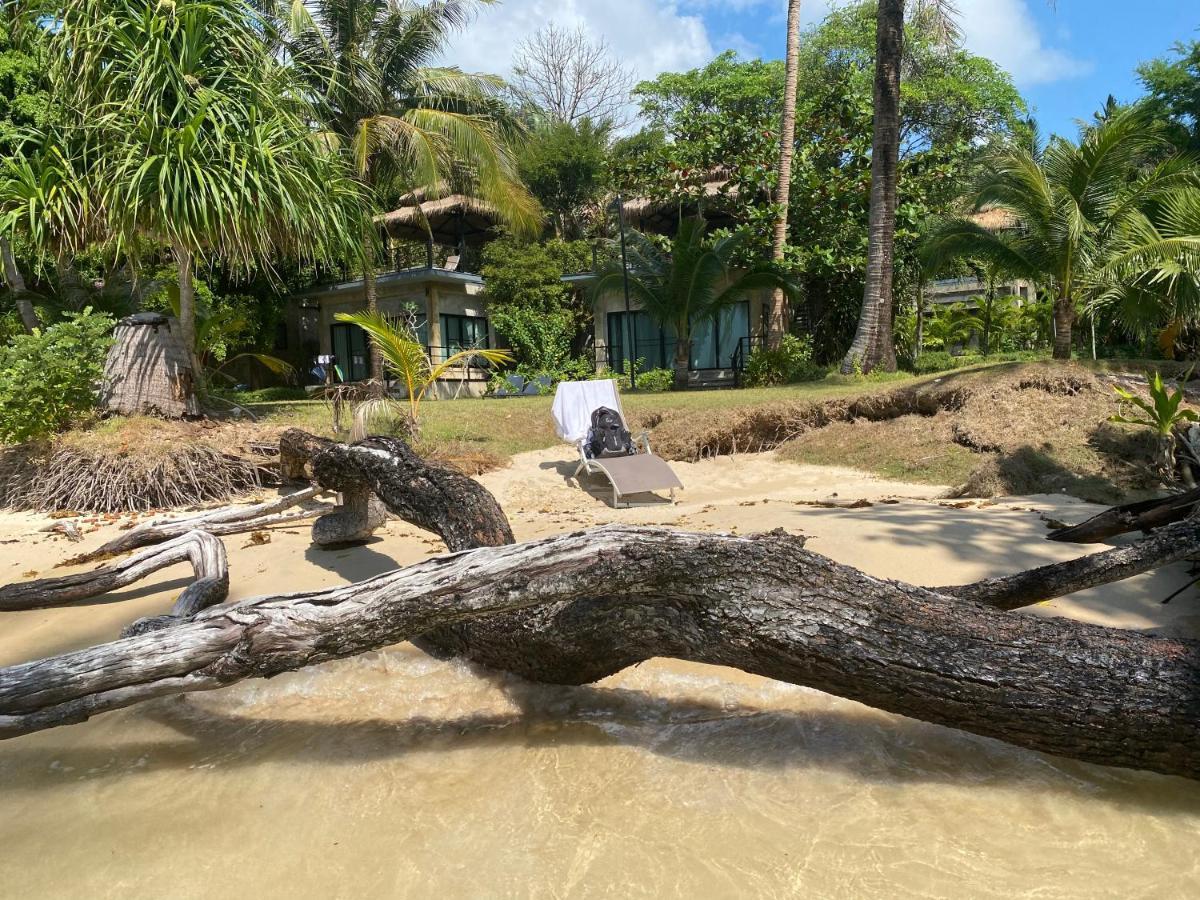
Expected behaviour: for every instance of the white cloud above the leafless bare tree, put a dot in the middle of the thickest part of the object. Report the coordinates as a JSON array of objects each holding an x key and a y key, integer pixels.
[{"x": 650, "y": 37}]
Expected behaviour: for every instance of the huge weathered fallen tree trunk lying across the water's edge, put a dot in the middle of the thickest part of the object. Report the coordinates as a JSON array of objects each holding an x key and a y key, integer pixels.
[{"x": 580, "y": 607}]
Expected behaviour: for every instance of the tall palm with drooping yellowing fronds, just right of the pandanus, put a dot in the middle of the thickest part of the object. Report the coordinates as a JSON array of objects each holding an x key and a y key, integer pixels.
[{"x": 407, "y": 124}]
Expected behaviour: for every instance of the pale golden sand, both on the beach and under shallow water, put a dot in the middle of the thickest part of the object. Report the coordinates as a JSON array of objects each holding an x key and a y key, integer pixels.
[{"x": 399, "y": 776}]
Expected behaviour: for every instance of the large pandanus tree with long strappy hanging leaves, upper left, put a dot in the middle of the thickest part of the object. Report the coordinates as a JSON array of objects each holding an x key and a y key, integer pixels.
[{"x": 183, "y": 129}]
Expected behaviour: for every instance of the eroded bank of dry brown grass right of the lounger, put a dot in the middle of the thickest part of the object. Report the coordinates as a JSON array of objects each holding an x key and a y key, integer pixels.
[{"x": 1007, "y": 430}]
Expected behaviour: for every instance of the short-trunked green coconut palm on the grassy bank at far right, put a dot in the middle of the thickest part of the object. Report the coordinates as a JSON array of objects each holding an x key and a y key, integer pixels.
[{"x": 1075, "y": 206}]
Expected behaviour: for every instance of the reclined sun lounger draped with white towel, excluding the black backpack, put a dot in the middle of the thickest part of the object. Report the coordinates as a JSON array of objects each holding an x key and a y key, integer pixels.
[{"x": 638, "y": 475}]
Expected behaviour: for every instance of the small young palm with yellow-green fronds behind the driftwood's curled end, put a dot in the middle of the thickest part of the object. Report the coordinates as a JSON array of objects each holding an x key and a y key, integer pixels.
[{"x": 406, "y": 359}]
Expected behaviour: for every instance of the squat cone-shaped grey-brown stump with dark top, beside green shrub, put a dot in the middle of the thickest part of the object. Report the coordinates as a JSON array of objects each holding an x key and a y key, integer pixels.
[{"x": 149, "y": 370}]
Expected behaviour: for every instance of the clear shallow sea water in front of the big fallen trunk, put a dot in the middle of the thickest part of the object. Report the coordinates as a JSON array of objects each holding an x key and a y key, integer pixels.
[{"x": 394, "y": 775}]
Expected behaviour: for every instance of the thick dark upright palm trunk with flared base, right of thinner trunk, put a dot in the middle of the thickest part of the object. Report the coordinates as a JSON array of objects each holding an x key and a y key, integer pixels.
[{"x": 873, "y": 347}]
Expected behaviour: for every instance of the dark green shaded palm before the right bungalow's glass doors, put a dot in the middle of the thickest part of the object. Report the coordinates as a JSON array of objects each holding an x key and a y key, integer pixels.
[{"x": 689, "y": 285}]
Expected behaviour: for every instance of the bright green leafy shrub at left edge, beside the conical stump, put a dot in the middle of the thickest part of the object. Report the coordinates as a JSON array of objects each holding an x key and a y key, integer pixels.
[{"x": 49, "y": 380}]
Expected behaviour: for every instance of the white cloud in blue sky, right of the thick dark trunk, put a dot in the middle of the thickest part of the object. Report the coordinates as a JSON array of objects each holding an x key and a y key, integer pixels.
[{"x": 1006, "y": 33}]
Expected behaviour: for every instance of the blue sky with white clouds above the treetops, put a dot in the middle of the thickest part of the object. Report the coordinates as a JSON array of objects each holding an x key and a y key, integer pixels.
[{"x": 1066, "y": 57}]
